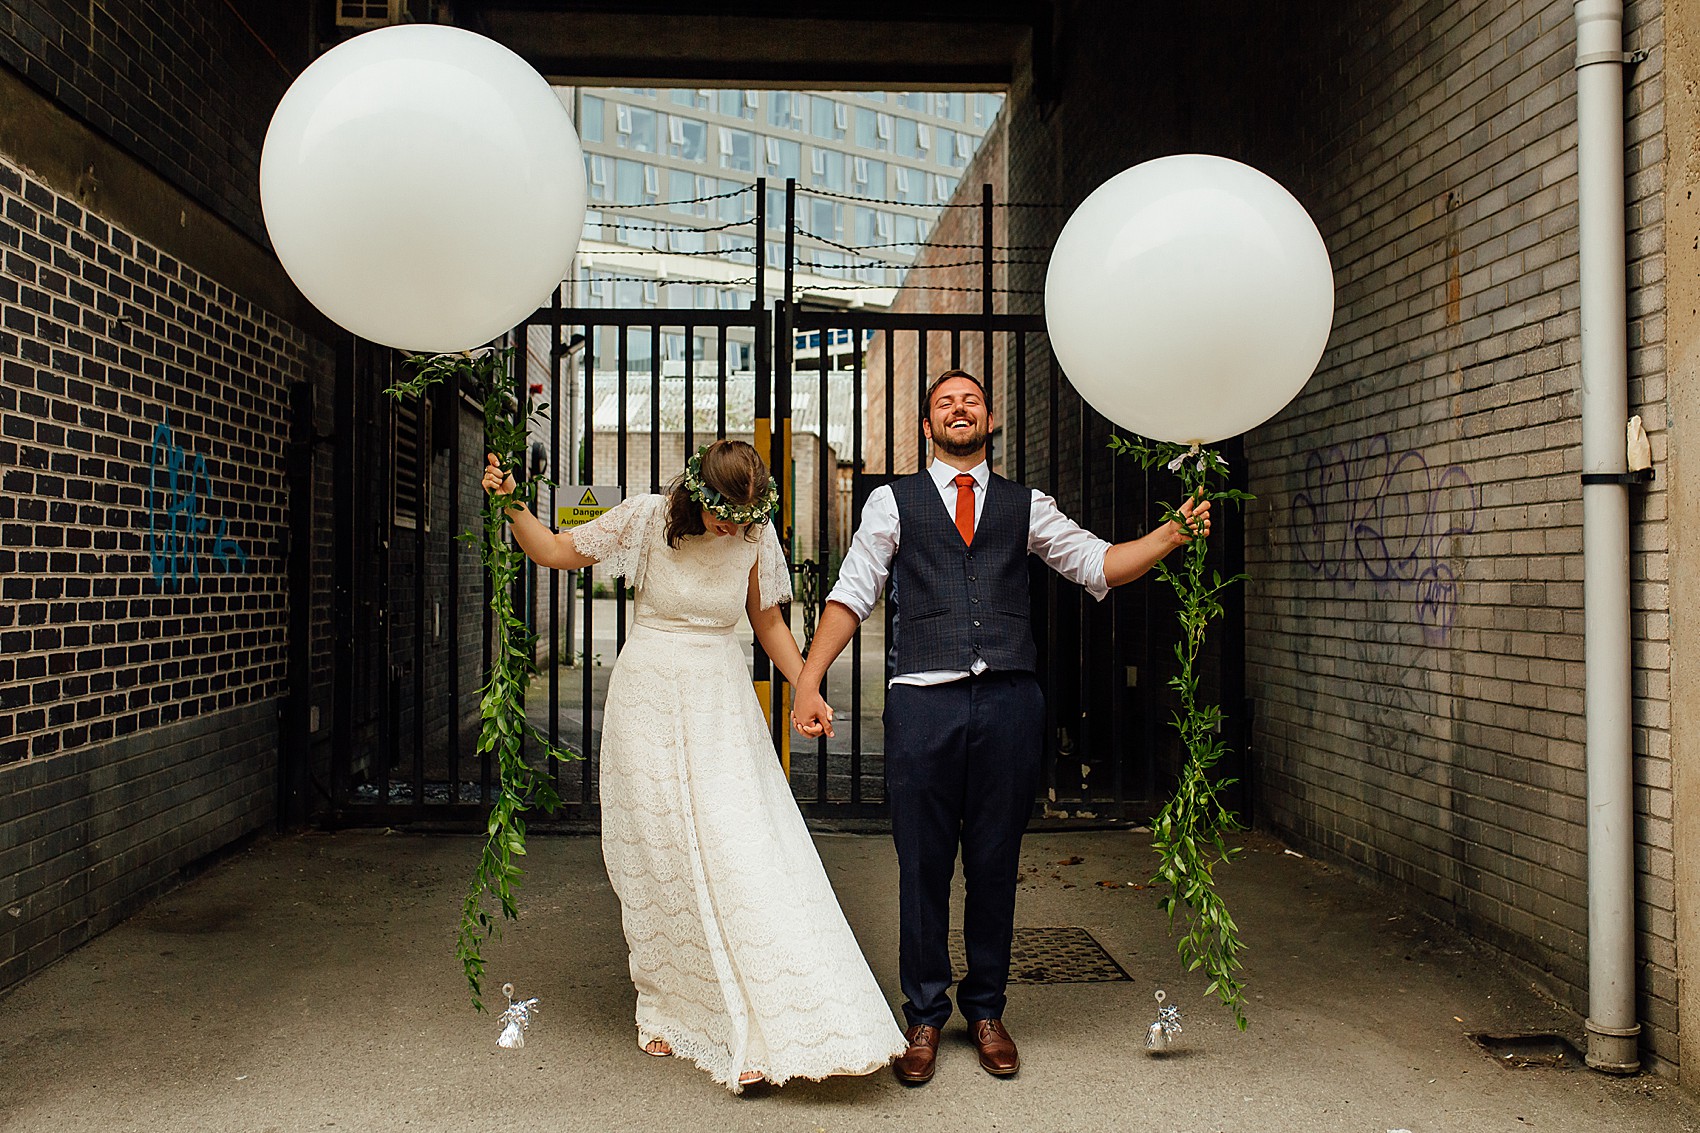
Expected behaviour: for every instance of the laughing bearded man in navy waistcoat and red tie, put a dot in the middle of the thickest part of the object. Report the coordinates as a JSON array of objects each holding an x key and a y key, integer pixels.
[{"x": 965, "y": 715}]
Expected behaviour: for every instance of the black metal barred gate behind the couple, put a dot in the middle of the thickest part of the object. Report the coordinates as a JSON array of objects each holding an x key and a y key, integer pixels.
[{"x": 632, "y": 394}]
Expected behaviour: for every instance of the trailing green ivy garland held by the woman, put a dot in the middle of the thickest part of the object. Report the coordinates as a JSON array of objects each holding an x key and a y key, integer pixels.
[{"x": 502, "y": 700}]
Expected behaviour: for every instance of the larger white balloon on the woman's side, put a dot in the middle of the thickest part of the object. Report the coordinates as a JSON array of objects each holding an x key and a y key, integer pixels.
[{"x": 424, "y": 188}]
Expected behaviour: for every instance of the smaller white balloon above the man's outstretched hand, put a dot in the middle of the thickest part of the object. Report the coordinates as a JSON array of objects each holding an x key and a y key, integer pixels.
[{"x": 1189, "y": 299}]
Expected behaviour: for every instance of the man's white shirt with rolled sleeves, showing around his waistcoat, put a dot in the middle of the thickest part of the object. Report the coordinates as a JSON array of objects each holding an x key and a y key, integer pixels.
[{"x": 1063, "y": 545}]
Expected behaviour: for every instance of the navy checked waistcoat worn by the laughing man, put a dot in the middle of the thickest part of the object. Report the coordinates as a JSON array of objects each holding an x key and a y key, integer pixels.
[{"x": 958, "y": 605}]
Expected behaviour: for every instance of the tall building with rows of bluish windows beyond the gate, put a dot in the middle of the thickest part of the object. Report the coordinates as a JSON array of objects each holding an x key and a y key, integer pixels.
[{"x": 672, "y": 176}]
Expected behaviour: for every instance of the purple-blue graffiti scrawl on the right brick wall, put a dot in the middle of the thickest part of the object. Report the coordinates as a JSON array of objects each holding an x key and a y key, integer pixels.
[{"x": 1391, "y": 520}]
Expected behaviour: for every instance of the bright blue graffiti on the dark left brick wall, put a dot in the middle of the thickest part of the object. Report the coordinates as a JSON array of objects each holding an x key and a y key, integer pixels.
[{"x": 178, "y": 530}]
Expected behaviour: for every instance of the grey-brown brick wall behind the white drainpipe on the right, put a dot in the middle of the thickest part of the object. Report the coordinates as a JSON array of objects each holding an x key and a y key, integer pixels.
[{"x": 1415, "y": 615}]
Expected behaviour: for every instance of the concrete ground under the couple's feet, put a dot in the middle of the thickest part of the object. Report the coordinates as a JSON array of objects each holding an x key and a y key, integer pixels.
[{"x": 310, "y": 984}]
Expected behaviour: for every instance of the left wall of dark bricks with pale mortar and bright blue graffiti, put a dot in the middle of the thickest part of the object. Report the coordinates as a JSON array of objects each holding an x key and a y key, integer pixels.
[{"x": 144, "y": 411}]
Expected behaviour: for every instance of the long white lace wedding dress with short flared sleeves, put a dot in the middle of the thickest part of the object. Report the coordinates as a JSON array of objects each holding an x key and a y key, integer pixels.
[{"x": 739, "y": 950}]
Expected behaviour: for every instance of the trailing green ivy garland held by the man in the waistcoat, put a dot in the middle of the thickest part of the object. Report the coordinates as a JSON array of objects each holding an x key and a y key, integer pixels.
[{"x": 1191, "y": 834}]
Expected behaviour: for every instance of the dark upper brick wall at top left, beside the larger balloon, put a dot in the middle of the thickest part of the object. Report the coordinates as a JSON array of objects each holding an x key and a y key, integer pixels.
[{"x": 184, "y": 86}]
